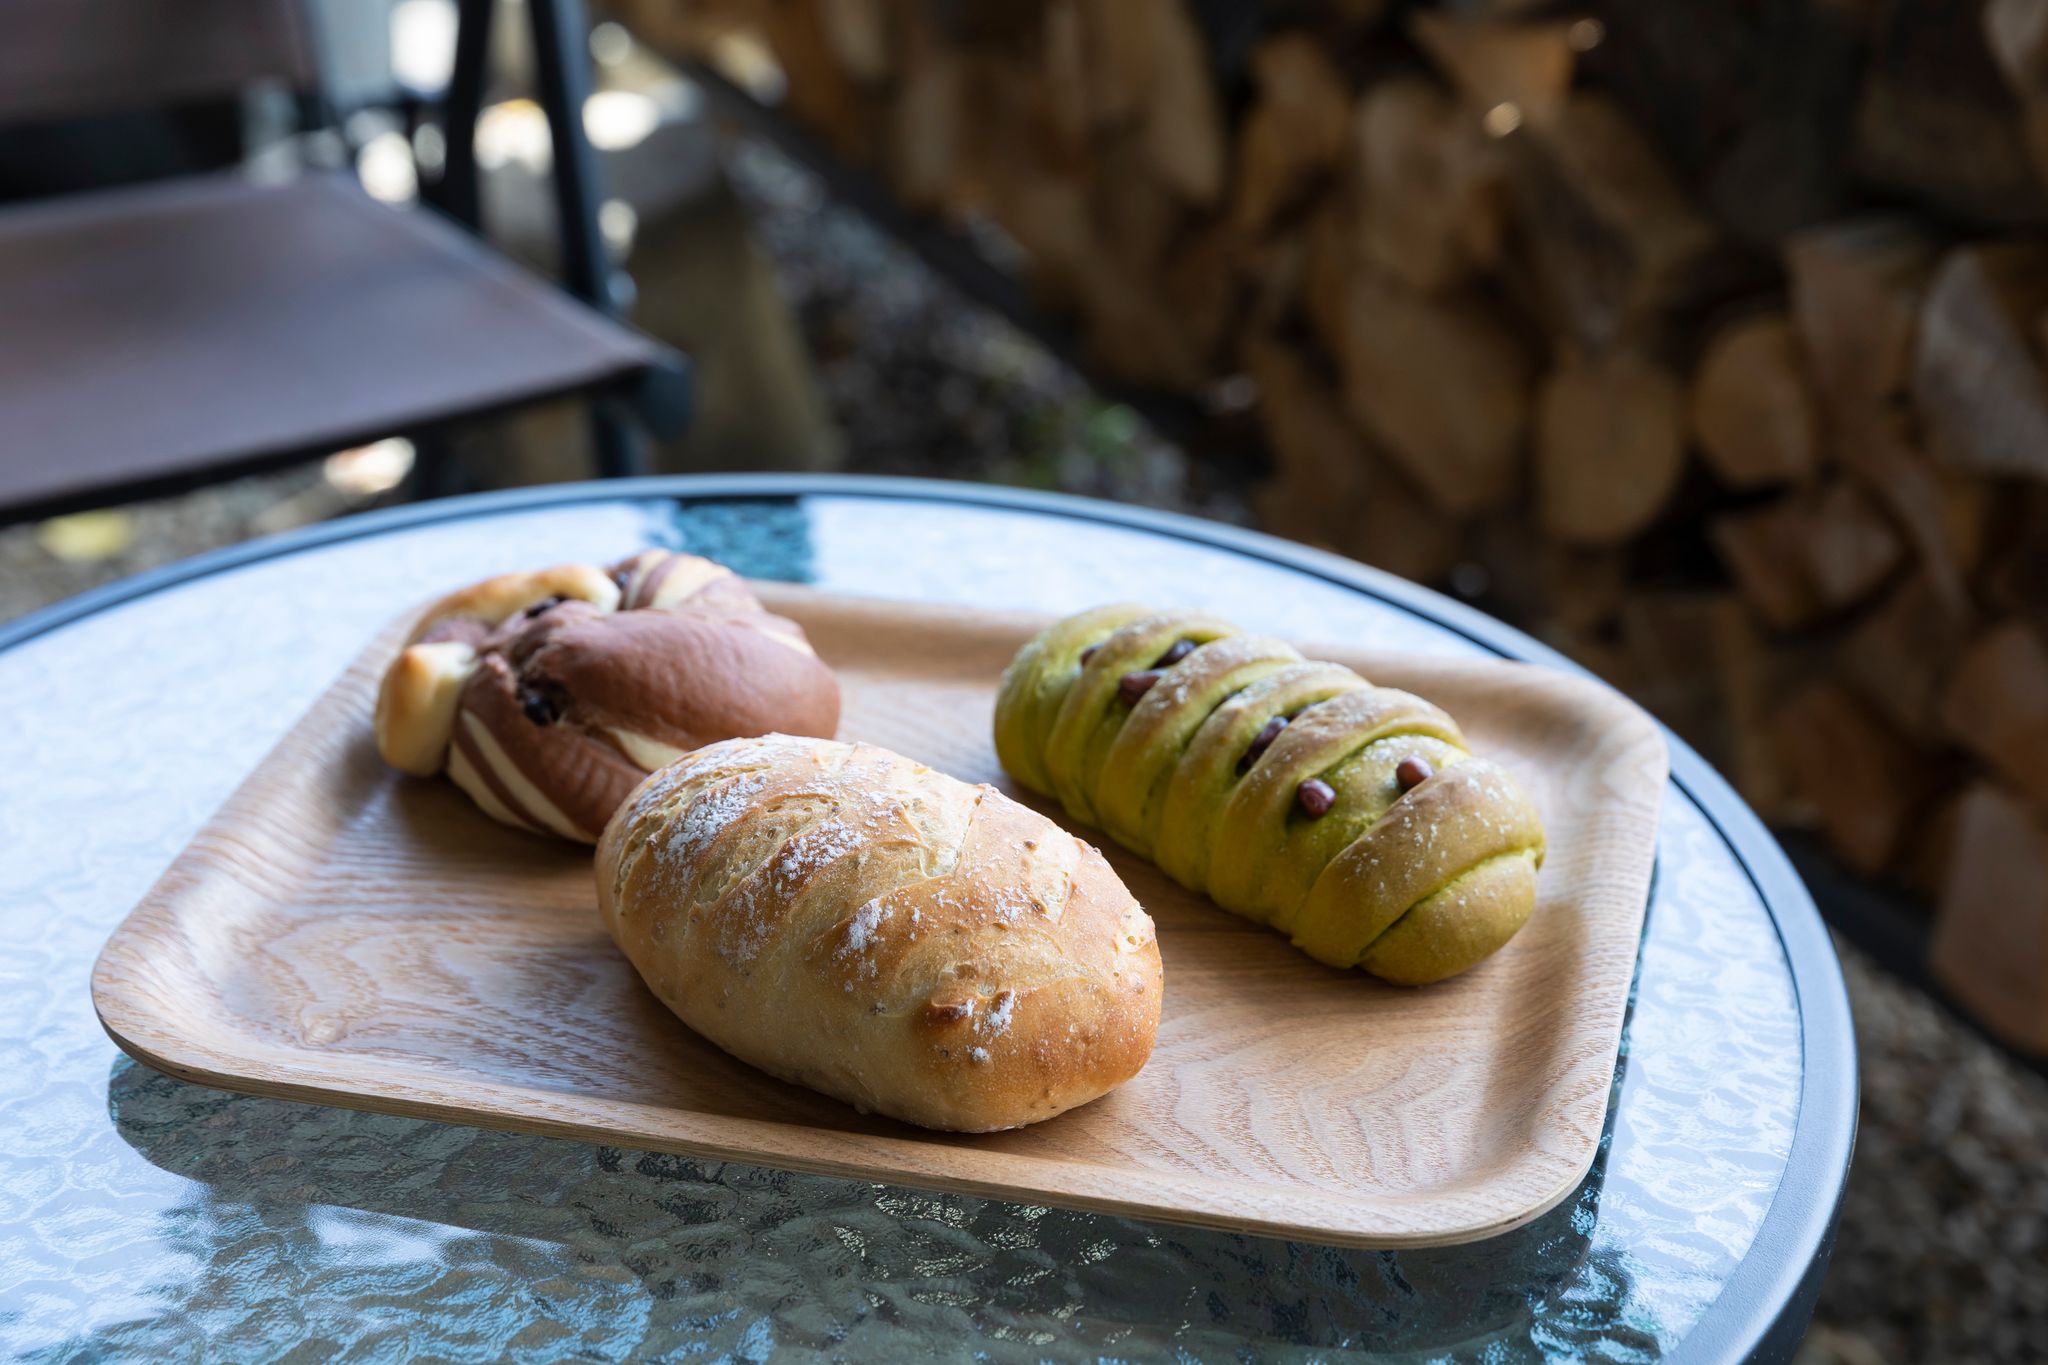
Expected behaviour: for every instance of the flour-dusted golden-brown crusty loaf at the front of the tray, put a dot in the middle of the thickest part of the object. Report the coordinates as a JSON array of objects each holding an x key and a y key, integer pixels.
[{"x": 859, "y": 924}]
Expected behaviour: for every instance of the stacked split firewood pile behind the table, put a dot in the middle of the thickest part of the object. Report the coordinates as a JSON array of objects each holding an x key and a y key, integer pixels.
[{"x": 1707, "y": 341}]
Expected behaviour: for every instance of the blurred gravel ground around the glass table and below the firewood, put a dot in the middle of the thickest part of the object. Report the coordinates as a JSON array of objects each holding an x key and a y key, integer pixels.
[{"x": 1945, "y": 1237}]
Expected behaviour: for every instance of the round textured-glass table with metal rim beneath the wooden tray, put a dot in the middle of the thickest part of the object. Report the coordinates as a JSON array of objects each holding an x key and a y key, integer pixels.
[{"x": 148, "y": 1219}]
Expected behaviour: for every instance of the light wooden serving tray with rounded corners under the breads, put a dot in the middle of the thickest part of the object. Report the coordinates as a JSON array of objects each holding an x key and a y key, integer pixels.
[{"x": 349, "y": 936}]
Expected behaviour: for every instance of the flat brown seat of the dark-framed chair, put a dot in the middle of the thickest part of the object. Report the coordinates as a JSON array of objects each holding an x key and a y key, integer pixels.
[{"x": 194, "y": 328}]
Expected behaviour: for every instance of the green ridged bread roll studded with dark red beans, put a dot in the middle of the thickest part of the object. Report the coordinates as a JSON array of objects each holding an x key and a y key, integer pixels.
[{"x": 1351, "y": 818}]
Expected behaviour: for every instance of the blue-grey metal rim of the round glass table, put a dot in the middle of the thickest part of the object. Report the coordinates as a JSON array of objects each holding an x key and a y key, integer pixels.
[{"x": 1764, "y": 1307}]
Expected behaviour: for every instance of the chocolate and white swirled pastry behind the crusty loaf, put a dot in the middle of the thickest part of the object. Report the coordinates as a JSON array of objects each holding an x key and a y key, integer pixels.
[{"x": 550, "y": 697}]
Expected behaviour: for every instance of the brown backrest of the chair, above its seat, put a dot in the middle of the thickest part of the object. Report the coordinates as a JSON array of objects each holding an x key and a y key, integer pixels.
[{"x": 79, "y": 58}]
